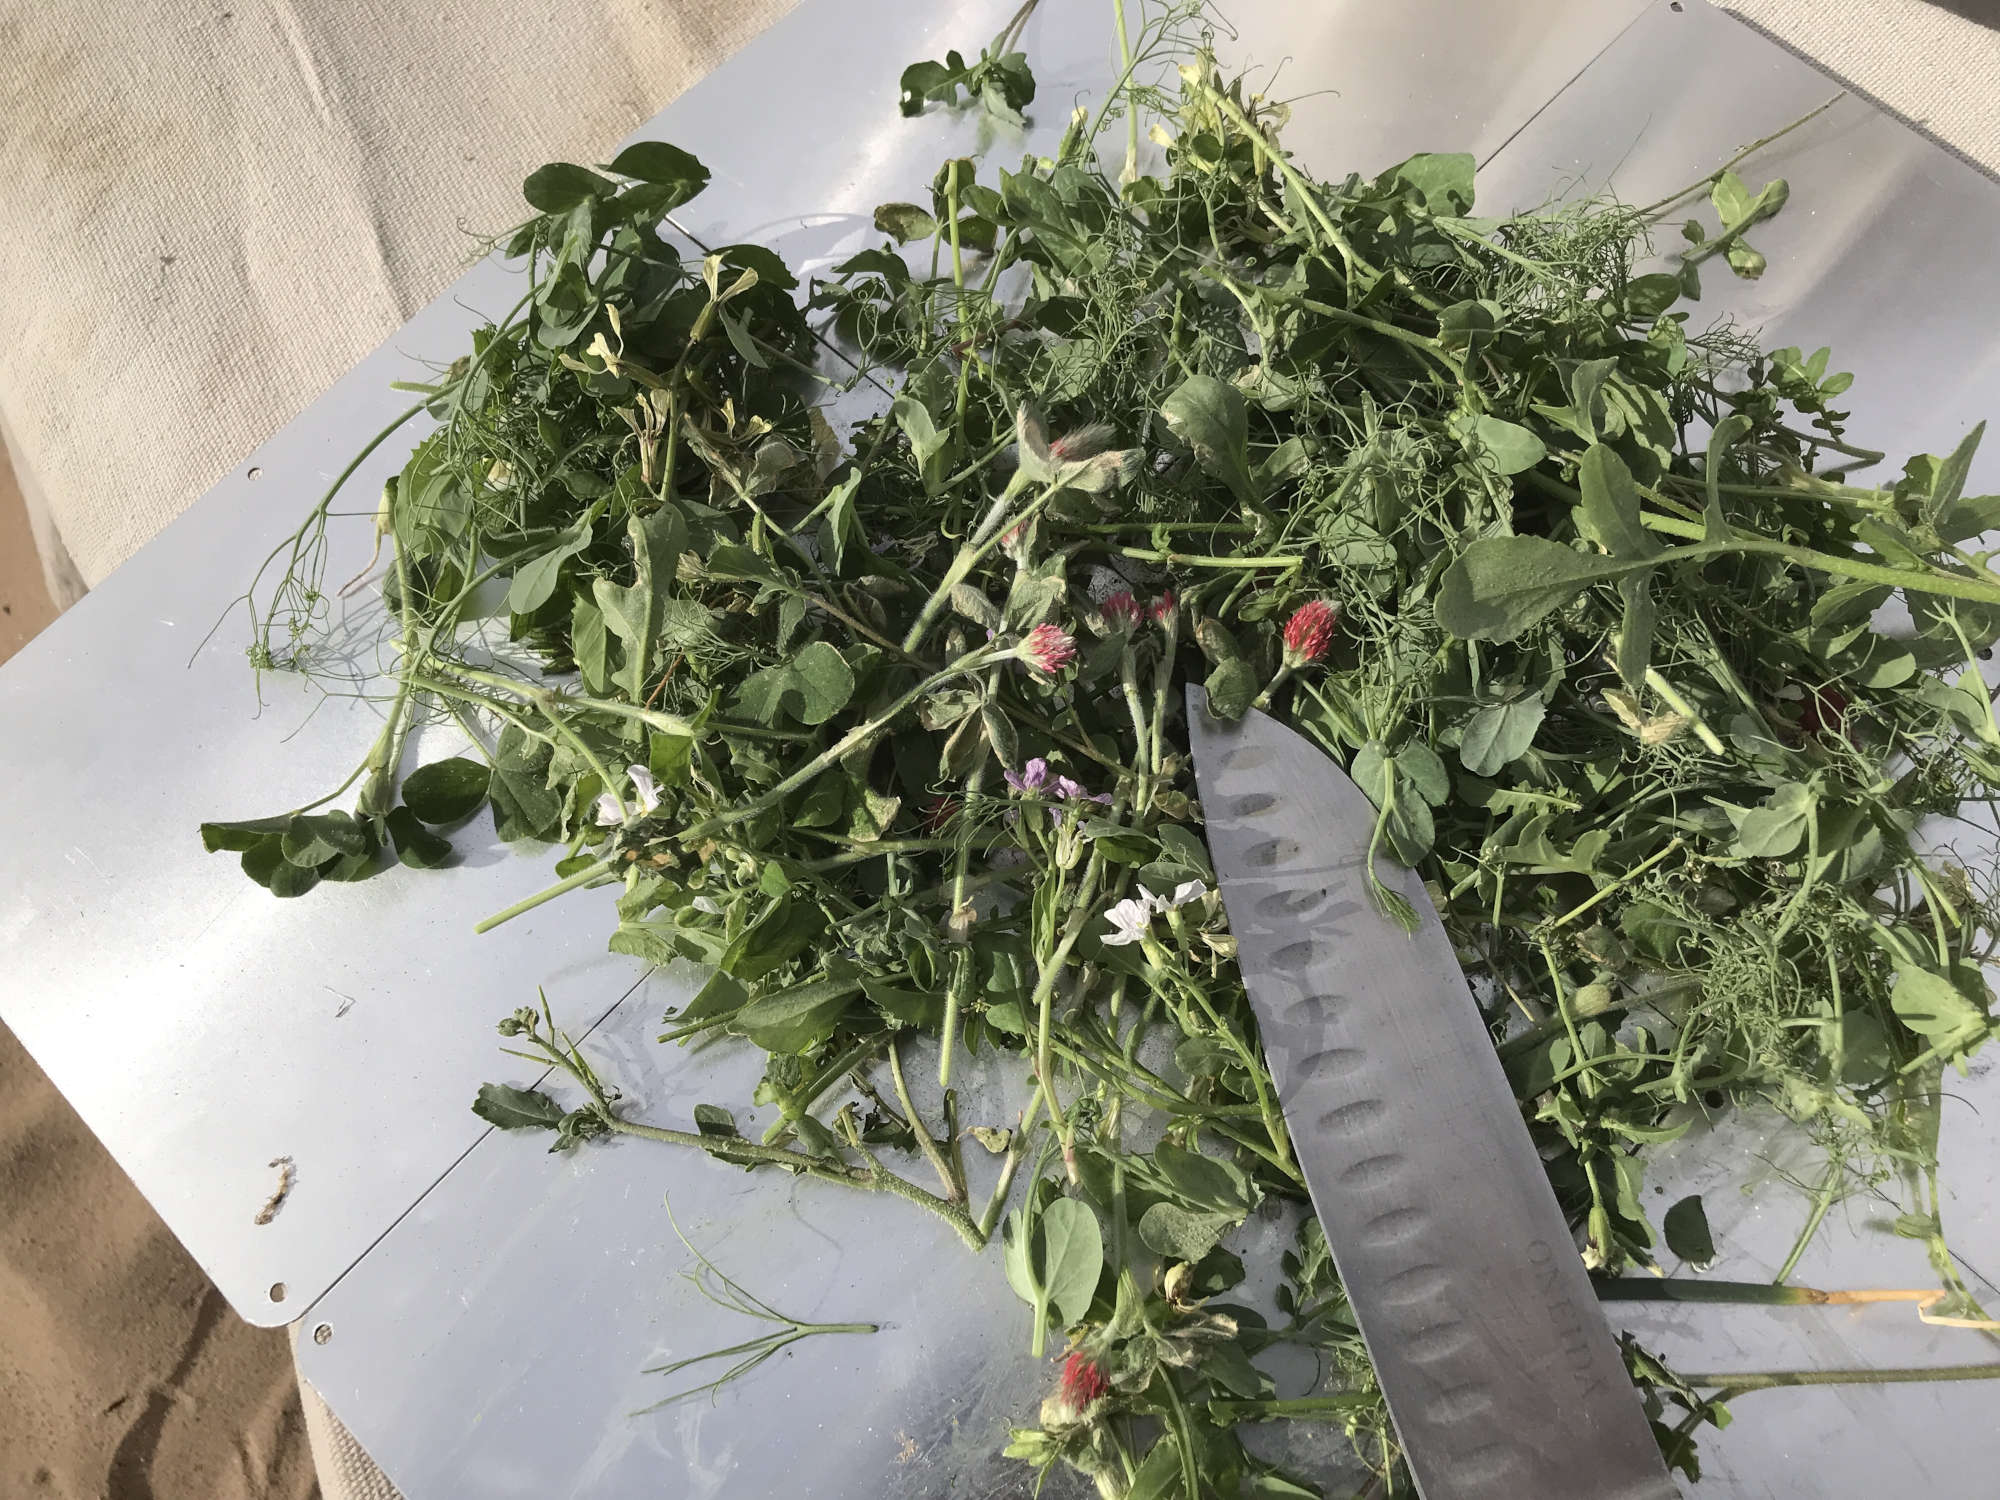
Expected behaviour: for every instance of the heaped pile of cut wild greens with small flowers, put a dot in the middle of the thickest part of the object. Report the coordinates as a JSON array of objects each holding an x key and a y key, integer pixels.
[{"x": 845, "y": 631}]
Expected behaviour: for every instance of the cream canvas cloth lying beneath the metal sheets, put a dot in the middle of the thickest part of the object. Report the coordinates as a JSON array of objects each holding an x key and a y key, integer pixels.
[{"x": 213, "y": 211}]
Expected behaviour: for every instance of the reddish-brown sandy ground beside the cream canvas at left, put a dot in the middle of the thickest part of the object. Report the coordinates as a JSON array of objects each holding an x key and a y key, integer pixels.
[{"x": 123, "y": 1373}]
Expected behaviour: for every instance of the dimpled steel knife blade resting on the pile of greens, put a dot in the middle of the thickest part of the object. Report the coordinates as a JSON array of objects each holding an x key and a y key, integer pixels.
[{"x": 1497, "y": 1363}]
